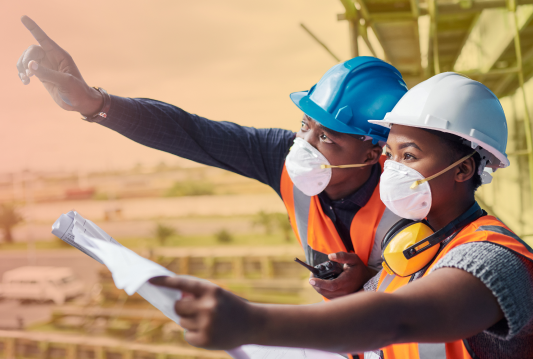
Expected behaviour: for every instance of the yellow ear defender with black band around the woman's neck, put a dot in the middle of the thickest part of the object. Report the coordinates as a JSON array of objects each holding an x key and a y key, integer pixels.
[{"x": 411, "y": 245}]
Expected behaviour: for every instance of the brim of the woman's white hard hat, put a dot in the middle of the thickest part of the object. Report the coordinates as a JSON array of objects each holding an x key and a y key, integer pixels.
[{"x": 393, "y": 120}]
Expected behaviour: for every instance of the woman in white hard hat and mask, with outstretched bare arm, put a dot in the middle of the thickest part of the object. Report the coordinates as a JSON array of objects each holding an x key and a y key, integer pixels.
[{"x": 457, "y": 283}]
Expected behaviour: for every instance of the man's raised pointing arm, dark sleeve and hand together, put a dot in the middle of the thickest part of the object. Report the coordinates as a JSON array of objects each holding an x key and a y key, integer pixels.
[{"x": 255, "y": 153}]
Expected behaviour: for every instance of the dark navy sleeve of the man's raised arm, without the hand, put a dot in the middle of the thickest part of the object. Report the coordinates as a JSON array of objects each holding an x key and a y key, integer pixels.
[{"x": 251, "y": 152}]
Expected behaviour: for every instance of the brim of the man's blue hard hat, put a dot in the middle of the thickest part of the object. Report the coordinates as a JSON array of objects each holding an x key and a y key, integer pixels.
[{"x": 317, "y": 113}]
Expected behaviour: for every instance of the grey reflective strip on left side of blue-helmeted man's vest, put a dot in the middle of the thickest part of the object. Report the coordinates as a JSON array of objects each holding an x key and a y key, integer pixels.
[{"x": 302, "y": 204}]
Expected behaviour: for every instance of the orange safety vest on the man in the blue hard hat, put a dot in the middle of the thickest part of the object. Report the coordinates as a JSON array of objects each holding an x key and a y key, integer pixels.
[{"x": 316, "y": 232}]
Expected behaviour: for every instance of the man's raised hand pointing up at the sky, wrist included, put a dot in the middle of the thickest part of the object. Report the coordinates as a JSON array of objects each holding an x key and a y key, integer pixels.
[{"x": 56, "y": 69}]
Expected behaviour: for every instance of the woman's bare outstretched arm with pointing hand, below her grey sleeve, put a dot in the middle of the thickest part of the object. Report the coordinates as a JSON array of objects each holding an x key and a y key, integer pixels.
[{"x": 447, "y": 305}]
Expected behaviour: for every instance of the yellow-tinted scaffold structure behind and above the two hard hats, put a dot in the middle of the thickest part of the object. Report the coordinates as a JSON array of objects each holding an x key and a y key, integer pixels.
[{"x": 396, "y": 26}]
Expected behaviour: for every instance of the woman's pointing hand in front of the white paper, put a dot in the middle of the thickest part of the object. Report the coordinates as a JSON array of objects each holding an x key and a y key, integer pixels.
[{"x": 212, "y": 317}]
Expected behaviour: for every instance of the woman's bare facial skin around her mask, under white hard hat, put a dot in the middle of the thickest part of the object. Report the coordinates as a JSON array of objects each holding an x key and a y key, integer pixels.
[{"x": 427, "y": 154}]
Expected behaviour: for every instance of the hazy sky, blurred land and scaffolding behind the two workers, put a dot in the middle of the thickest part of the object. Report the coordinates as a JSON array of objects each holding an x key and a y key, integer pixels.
[{"x": 237, "y": 61}]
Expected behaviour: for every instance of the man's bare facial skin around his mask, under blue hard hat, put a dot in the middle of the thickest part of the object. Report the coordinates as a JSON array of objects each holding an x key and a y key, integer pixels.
[{"x": 338, "y": 148}]
